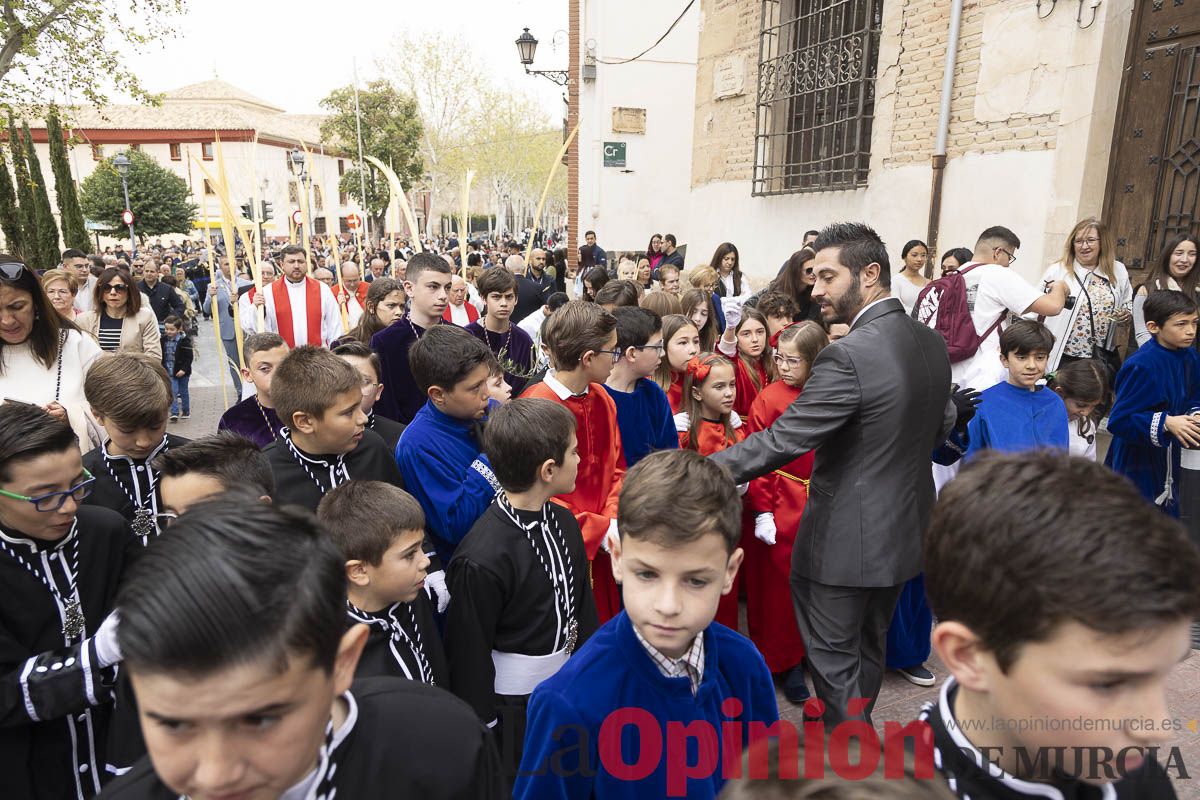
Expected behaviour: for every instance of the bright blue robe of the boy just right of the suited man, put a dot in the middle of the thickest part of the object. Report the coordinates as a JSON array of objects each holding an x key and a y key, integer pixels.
[{"x": 1015, "y": 420}]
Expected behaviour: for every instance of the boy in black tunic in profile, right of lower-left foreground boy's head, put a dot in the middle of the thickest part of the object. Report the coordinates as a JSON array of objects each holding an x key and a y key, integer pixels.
[{"x": 380, "y": 531}]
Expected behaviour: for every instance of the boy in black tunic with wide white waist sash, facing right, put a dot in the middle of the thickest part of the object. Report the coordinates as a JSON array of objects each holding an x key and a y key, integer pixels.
[{"x": 523, "y": 604}]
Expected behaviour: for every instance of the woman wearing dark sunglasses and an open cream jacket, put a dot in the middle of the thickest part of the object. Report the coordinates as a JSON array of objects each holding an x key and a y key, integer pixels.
[{"x": 119, "y": 321}]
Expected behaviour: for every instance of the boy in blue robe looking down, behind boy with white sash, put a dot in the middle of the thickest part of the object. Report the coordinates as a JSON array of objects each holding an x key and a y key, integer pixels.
[{"x": 441, "y": 454}]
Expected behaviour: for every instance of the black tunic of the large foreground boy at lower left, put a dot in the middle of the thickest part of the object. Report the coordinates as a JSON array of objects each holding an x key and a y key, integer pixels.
[{"x": 401, "y": 739}]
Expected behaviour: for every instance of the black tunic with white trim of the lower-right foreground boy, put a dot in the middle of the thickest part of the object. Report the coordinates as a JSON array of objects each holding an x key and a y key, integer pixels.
[{"x": 971, "y": 778}]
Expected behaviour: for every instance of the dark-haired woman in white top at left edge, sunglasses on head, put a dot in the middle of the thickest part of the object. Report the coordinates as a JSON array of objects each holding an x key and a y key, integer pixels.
[{"x": 44, "y": 358}]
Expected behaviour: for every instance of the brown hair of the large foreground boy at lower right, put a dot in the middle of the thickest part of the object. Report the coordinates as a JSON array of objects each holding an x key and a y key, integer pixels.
[{"x": 1053, "y": 539}]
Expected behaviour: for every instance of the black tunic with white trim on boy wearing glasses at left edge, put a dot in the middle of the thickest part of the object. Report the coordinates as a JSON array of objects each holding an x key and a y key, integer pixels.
[{"x": 55, "y": 701}]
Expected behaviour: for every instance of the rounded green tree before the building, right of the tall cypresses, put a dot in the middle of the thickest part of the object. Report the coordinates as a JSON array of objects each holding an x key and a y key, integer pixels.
[{"x": 158, "y": 199}]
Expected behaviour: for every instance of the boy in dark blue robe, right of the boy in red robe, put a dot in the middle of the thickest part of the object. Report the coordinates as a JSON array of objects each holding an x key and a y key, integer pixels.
[{"x": 644, "y": 414}]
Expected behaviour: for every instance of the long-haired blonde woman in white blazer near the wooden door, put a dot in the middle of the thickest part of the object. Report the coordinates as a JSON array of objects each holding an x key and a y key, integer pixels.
[{"x": 1100, "y": 287}]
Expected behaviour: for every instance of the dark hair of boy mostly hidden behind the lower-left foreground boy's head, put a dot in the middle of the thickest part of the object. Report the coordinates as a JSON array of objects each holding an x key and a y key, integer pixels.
[{"x": 235, "y": 461}]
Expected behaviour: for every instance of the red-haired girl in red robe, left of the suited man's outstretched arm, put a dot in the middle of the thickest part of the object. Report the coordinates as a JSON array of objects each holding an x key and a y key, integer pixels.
[{"x": 706, "y": 426}]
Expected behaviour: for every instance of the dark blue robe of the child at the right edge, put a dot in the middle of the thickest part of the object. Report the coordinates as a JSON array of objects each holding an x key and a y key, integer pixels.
[{"x": 1154, "y": 384}]
